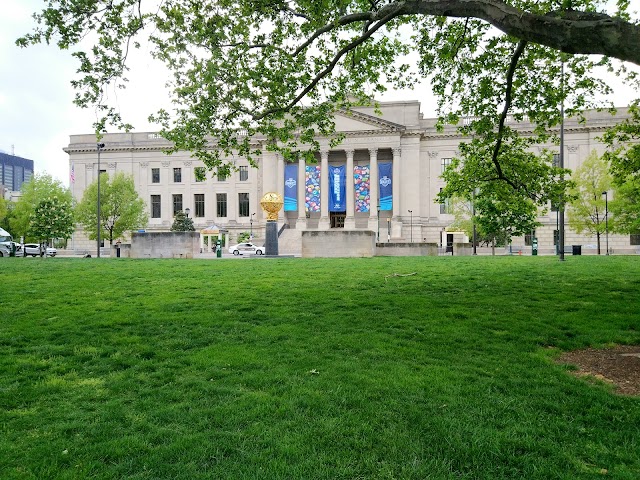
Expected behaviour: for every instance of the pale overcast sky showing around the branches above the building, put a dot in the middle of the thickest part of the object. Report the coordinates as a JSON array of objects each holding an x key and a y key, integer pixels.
[{"x": 37, "y": 114}]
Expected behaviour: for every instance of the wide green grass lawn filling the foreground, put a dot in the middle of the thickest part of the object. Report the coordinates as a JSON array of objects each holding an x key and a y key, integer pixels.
[{"x": 314, "y": 368}]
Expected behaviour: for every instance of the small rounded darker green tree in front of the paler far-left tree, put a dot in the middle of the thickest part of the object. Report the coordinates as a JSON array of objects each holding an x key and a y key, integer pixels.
[{"x": 52, "y": 218}]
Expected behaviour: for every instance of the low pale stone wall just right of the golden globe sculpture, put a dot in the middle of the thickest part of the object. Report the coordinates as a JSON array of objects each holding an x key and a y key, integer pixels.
[{"x": 343, "y": 243}]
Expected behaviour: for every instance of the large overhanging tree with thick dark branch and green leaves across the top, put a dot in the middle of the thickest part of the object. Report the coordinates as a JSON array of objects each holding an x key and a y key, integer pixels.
[{"x": 279, "y": 69}]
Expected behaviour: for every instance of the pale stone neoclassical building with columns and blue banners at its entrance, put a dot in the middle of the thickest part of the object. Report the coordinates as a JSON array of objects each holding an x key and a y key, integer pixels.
[{"x": 393, "y": 160}]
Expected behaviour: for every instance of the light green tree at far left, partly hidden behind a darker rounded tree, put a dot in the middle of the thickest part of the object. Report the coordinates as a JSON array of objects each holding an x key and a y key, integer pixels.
[{"x": 40, "y": 188}]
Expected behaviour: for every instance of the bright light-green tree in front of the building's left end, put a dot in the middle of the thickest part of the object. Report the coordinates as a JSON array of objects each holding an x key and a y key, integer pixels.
[{"x": 121, "y": 209}]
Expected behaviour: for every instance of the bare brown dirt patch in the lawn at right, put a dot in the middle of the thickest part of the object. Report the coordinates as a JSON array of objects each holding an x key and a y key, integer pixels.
[{"x": 619, "y": 366}]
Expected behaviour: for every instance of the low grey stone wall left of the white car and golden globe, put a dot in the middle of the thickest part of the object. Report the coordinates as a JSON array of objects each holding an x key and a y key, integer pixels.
[{"x": 165, "y": 244}]
